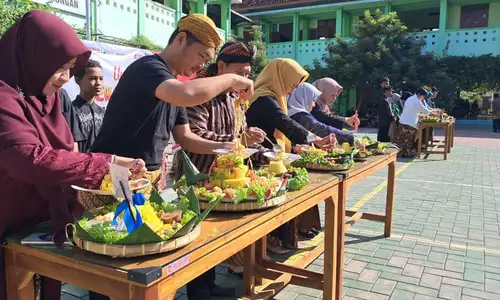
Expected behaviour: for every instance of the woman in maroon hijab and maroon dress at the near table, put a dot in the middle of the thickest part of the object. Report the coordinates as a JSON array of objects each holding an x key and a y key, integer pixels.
[{"x": 38, "y": 56}]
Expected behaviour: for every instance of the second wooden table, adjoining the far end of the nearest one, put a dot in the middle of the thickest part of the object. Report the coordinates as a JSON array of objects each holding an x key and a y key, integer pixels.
[{"x": 361, "y": 171}]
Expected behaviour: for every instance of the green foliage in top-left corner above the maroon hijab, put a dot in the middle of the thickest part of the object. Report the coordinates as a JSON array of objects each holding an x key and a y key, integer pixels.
[{"x": 11, "y": 11}]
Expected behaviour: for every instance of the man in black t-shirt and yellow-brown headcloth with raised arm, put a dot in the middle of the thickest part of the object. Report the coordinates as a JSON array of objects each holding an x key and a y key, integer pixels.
[{"x": 148, "y": 104}]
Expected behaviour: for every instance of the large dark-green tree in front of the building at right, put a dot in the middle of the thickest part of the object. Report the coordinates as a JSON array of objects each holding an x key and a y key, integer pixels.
[{"x": 381, "y": 46}]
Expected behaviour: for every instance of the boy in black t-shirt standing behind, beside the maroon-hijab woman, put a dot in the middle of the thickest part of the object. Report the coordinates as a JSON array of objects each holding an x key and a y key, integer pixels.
[{"x": 89, "y": 114}]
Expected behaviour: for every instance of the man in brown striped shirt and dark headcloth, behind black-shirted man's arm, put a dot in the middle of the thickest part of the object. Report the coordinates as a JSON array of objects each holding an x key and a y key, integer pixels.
[{"x": 216, "y": 120}]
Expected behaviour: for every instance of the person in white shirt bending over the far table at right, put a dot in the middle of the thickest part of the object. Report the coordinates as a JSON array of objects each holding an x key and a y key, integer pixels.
[{"x": 406, "y": 133}]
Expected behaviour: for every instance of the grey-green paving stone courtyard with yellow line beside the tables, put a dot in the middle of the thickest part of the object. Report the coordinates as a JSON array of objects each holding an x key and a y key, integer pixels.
[{"x": 446, "y": 238}]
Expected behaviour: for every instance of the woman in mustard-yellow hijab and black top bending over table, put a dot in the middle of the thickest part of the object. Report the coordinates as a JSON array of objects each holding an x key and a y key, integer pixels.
[{"x": 268, "y": 110}]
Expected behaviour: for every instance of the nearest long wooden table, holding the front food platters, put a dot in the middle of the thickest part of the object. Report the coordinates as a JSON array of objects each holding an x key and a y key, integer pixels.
[{"x": 159, "y": 276}]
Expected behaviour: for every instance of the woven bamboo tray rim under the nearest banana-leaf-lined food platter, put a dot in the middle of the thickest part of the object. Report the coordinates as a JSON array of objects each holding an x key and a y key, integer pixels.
[{"x": 115, "y": 250}]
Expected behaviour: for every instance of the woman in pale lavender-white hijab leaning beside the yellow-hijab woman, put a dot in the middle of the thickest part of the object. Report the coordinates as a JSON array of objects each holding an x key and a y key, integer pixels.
[{"x": 300, "y": 104}]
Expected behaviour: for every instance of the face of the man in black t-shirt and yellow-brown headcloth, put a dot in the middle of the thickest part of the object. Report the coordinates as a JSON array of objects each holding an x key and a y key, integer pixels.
[{"x": 193, "y": 57}]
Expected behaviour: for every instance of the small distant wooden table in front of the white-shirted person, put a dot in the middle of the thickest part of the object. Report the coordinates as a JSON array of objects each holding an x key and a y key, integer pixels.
[{"x": 424, "y": 128}]
